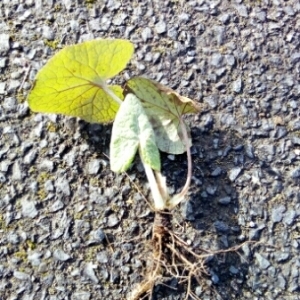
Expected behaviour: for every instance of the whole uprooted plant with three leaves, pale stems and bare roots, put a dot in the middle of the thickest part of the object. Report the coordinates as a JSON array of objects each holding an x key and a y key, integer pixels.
[{"x": 74, "y": 82}]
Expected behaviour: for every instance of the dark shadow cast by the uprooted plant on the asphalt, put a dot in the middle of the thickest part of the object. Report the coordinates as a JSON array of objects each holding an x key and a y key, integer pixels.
[{"x": 208, "y": 221}]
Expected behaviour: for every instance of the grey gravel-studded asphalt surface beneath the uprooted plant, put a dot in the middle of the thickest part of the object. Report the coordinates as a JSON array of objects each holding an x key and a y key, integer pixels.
[{"x": 71, "y": 228}]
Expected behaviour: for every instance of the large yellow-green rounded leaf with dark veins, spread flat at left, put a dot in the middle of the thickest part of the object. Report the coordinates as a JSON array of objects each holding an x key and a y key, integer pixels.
[{"x": 73, "y": 82}]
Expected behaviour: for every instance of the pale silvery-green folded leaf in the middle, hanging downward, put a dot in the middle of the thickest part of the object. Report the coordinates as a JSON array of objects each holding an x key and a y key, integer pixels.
[{"x": 132, "y": 131}]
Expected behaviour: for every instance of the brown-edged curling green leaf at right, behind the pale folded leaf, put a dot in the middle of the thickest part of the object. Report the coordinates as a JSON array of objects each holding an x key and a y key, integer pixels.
[{"x": 164, "y": 108}]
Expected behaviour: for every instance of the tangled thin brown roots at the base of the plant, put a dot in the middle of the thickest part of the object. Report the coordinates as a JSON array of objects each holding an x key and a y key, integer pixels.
[{"x": 173, "y": 258}]
